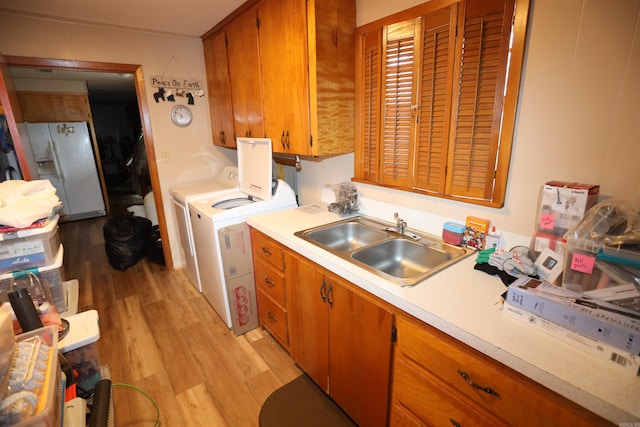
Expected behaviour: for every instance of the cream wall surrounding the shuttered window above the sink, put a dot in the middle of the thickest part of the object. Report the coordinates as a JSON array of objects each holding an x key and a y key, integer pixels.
[{"x": 578, "y": 115}]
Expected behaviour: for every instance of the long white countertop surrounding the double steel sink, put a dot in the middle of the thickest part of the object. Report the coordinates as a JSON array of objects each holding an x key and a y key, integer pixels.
[{"x": 466, "y": 304}]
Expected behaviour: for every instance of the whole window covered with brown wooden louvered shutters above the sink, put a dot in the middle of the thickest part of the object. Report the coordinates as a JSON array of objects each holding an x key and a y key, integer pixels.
[{"x": 449, "y": 80}]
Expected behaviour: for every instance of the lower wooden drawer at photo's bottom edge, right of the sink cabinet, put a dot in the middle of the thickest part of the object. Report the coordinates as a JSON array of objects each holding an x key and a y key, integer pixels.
[{"x": 420, "y": 400}]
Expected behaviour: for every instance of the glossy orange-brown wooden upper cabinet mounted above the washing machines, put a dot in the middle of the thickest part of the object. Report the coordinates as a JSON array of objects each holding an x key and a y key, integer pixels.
[{"x": 292, "y": 74}]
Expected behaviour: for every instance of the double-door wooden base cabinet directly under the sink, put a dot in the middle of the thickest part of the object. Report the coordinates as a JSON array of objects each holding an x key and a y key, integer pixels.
[{"x": 342, "y": 339}]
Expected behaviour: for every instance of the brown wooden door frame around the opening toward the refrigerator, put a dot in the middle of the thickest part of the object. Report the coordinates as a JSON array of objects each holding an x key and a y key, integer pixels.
[{"x": 14, "y": 115}]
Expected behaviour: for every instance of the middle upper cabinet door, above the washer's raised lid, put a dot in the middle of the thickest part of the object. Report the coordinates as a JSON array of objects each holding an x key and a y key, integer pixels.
[{"x": 244, "y": 73}]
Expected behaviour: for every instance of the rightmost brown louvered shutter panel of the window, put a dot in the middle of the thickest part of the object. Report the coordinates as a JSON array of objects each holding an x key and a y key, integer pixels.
[{"x": 480, "y": 84}]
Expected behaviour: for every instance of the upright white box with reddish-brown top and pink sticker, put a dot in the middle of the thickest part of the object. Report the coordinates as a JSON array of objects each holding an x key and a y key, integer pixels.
[{"x": 564, "y": 204}]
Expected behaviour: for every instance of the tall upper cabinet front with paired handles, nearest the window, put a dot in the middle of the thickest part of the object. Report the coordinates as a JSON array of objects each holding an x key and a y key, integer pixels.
[{"x": 283, "y": 58}]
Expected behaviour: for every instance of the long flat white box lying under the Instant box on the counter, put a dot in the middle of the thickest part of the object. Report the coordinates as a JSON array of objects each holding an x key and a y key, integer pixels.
[{"x": 598, "y": 348}]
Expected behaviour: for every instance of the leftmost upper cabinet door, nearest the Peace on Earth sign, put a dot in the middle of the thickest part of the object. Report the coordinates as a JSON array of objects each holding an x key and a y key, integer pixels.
[{"x": 216, "y": 63}]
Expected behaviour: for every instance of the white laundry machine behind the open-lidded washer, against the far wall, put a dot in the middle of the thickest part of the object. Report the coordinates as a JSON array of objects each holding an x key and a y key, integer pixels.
[{"x": 180, "y": 196}]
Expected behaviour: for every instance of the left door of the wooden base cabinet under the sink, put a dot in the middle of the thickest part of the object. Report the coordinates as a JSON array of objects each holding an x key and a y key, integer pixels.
[{"x": 310, "y": 321}]
